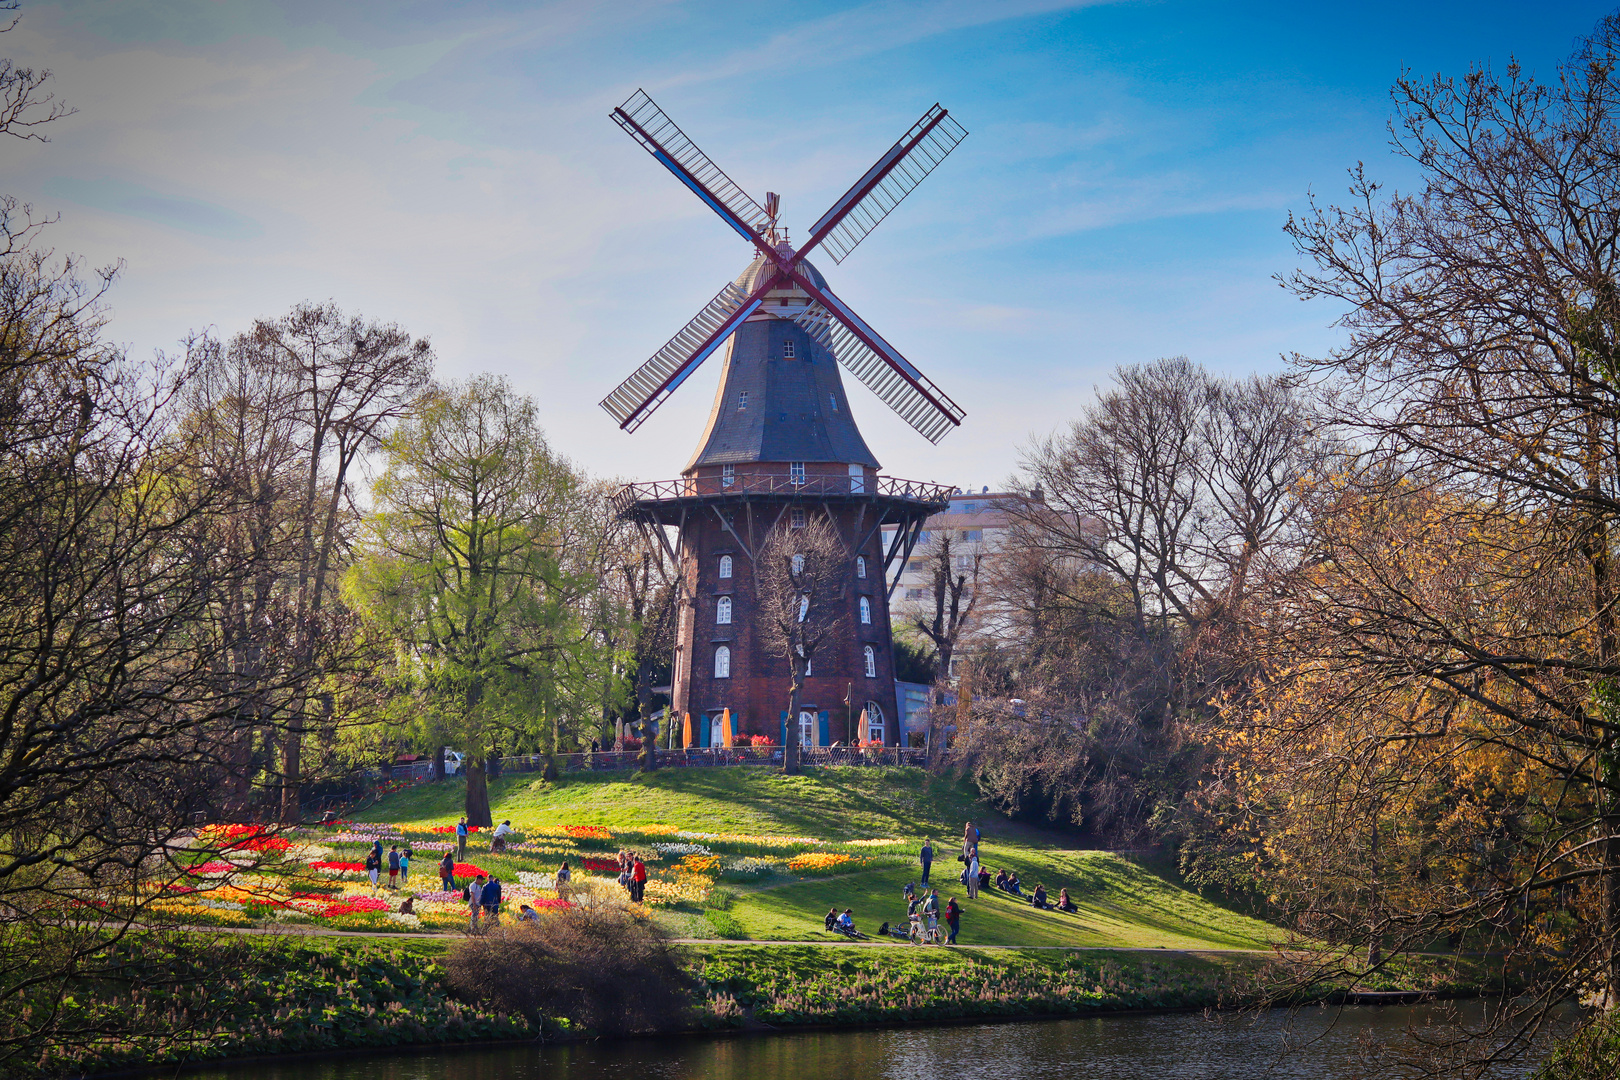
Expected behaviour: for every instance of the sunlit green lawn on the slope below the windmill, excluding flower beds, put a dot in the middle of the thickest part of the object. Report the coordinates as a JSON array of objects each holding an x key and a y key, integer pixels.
[{"x": 1122, "y": 904}]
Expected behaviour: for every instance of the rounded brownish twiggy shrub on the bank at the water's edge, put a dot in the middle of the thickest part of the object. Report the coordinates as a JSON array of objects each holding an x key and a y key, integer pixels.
[{"x": 599, "y": 967}]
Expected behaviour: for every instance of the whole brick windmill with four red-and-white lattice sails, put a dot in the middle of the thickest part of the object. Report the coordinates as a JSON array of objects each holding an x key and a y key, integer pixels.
[{"x": 782, "y": 446}]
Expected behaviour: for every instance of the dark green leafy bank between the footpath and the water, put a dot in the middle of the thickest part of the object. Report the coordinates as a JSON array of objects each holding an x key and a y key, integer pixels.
[{"x": 284, "y": 995}]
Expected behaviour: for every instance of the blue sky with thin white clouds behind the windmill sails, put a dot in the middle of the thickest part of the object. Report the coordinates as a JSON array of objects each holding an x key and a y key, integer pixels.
[{"x": 453, "y": 168}]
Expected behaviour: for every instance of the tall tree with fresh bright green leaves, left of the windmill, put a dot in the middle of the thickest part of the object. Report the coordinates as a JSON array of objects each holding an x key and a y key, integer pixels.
[{"x": 472, "y": 571}]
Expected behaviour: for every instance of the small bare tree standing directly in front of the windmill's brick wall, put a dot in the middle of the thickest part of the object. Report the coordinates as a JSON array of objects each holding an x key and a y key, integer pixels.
[{"x": 801, "y": 580}]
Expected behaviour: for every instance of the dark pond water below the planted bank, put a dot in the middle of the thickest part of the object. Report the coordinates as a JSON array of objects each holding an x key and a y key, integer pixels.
[{"x": 1319, "y": 1044}]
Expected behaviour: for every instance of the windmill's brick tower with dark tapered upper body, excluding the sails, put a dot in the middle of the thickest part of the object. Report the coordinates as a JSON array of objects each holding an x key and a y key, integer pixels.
[{"x": 780, "y": 449}]
